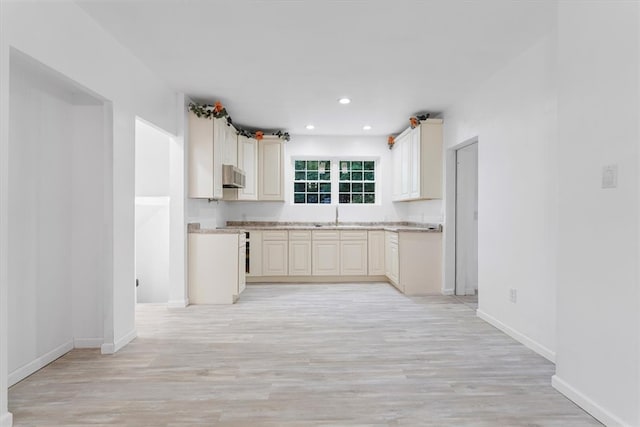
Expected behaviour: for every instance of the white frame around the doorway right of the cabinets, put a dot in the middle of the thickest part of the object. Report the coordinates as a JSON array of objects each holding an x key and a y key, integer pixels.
[{"x": 449, "y": 276}]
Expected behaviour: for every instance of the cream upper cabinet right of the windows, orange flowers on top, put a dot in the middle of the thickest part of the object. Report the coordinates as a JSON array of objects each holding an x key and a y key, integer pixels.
[{"x": 417, "y": 162}]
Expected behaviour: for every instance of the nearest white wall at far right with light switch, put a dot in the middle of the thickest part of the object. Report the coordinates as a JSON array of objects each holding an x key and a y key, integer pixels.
[{"x": 598, "y": 362}]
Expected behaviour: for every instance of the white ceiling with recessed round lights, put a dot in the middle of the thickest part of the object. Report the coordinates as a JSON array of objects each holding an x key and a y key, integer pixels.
[{"x": 282, "y": 64}]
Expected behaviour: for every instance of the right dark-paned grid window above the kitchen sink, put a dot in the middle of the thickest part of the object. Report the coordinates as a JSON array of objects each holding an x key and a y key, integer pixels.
[{"x": 357, "y": 182}]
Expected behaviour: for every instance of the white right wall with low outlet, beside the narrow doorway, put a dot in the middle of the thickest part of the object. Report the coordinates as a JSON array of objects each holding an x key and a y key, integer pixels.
[{"x": 513, "y": 115}]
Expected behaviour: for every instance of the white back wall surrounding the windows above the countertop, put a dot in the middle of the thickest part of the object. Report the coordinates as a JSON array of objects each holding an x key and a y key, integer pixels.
[{"x": 302, "y": 146}]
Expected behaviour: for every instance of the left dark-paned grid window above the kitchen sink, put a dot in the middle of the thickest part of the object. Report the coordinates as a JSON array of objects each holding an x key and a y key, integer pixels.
[{"x": 312, "y": 182}]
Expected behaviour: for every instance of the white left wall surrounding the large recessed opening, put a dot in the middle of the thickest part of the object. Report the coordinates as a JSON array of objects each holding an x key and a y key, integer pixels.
[{"x": 63, "y": 37}]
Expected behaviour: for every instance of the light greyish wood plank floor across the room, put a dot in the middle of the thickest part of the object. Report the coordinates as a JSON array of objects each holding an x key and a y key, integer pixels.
[{"x": 303, "y": 355}]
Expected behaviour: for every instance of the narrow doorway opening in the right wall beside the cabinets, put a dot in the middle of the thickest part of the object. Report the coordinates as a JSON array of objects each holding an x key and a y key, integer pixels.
[{"x": 466, "y": 220}]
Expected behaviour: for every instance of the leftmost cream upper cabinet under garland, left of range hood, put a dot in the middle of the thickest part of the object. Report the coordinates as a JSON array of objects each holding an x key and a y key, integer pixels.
[{"x": 206, "y": 138}]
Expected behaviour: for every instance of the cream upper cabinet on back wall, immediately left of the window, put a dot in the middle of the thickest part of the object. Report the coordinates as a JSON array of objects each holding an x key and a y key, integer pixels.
[{"x": 271, "y": 169}]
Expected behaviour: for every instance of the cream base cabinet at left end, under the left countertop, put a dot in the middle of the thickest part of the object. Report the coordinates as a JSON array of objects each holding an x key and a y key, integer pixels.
[{"x": 216, "y": 267}]
